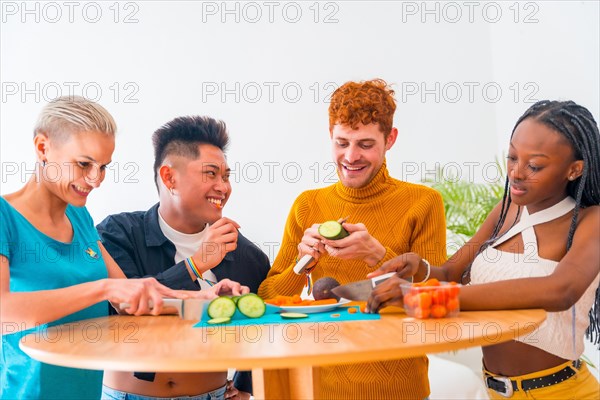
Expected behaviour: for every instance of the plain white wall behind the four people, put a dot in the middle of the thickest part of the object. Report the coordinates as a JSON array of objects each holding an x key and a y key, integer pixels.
[{"x": 166, "y": 59}]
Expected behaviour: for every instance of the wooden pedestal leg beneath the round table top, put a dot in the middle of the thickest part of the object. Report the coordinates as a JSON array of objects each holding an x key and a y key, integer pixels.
[{"x": 275, "y": 384}]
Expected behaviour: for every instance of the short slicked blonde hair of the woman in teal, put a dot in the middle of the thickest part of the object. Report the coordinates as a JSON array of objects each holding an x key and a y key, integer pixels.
[{"x": 69, "y": 115}]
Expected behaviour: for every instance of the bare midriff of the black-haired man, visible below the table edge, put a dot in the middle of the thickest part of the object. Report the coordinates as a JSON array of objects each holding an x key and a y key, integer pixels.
[{"x": 166, "y": 384}]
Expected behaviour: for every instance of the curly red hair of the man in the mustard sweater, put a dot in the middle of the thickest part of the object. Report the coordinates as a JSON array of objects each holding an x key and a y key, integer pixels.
[{"x": 368, "y": 102}]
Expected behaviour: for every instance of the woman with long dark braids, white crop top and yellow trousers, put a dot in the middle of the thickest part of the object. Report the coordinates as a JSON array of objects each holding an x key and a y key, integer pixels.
[{"x": 537, "y": 249}]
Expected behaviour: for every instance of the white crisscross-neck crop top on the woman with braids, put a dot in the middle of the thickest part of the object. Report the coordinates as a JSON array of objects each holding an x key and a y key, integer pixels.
[{"x": 555, "y": 335}]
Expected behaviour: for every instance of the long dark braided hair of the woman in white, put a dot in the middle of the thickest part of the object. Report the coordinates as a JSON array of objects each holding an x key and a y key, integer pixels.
[{"x": 578, "y": 126}]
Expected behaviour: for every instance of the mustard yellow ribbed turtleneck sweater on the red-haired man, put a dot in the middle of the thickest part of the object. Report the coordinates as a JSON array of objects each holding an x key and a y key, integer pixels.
[{"x": 404, "y": 217}]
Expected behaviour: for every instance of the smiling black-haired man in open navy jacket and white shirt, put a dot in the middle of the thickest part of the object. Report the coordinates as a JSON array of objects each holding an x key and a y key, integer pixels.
[{"x": 185, "y": 243}]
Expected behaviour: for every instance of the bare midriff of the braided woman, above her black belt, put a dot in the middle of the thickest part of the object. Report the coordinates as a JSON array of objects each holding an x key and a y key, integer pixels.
[{"x": 516, "y": 358}]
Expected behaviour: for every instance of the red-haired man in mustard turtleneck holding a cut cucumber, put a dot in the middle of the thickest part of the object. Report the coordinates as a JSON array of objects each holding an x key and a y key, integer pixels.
[{"x": 387, "y": 217}]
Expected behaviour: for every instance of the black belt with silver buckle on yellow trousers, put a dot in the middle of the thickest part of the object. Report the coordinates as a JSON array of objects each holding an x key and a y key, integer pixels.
[{"x": 506, "y": 386}]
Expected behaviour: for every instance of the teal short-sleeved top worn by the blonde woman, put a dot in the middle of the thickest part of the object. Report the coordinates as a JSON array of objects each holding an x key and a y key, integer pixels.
[{"x": 38, "y": 262}]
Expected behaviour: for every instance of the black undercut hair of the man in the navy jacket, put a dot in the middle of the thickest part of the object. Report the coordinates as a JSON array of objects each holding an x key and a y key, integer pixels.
[{"x": 183, "y": 136}]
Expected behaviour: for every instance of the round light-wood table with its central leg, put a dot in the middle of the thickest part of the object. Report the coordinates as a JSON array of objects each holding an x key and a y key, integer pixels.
[{"x": 281, "y": 354}]
